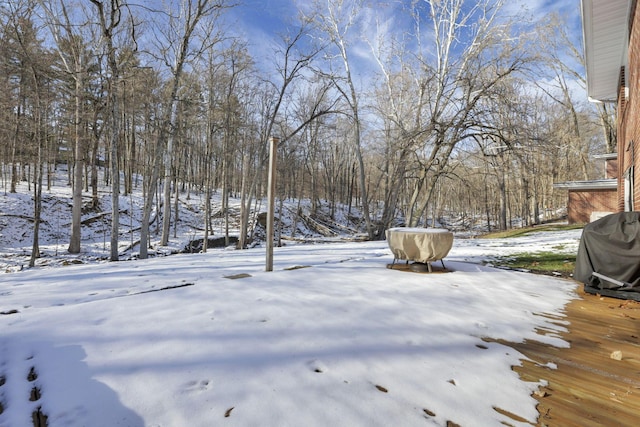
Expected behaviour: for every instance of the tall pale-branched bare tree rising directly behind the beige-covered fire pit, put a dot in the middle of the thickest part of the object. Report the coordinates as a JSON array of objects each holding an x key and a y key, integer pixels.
[{"x": 474, "y": 49}]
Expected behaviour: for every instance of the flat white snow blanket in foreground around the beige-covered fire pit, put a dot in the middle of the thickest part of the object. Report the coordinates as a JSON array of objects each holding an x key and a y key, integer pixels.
[{"x": 175, "y": 341}]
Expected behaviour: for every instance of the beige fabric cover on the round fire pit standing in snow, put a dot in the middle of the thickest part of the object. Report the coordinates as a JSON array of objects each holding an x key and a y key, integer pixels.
[{"x": 419, "y": 244}]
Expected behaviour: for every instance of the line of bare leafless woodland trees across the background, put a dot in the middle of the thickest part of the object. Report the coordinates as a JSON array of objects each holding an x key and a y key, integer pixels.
[{"x": 448, "y": 106}]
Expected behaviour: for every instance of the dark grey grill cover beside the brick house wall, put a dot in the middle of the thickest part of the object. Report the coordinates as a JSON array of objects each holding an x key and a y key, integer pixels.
[{"x": 610, "y": 246}]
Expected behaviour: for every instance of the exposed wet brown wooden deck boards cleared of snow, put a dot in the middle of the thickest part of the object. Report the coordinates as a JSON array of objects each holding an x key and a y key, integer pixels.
[{"x": 590, "y": 386}]
